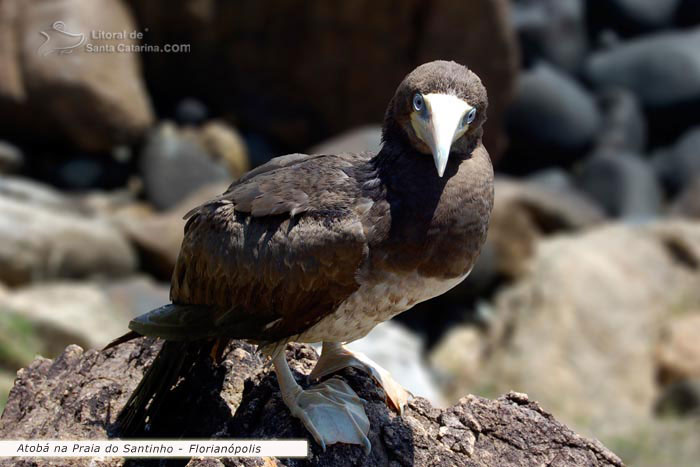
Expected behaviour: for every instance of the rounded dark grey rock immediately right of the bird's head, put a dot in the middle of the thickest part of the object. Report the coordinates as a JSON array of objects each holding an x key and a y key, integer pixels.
[{"x": 552, "y": 120}]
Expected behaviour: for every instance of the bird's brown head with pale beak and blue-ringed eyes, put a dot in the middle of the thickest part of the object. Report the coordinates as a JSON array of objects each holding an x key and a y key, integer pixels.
[{"x": 440, "y": 108}]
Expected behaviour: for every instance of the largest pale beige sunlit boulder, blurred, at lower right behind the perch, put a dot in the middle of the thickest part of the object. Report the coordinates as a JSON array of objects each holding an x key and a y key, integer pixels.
[{"x": 587, "y": 315}]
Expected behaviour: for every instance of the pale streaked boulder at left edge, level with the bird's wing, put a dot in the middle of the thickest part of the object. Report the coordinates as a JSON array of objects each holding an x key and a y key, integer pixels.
[{"x": 43, "y": 237}]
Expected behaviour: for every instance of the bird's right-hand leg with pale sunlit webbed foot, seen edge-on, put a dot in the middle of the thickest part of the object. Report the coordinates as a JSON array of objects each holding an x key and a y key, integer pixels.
[{"x": 335, "y": 357}]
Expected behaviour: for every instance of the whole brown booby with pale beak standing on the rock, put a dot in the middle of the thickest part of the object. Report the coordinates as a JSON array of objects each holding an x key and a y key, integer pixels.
[{"x": 321, "y": 248}]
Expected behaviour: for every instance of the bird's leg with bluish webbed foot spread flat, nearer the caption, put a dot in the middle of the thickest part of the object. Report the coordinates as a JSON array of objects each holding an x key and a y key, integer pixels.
[{"x": 331, "y": 411}]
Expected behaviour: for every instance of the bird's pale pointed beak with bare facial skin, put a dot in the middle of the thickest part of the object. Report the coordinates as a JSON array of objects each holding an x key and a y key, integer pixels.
[{"x": 442, "y": 127}]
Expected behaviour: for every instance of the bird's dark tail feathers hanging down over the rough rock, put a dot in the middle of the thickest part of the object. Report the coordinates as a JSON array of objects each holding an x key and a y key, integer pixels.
[{"x": 163, "y": 374}]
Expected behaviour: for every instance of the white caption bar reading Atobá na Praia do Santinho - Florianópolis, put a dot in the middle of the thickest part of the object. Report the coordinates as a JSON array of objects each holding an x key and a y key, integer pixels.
[{"x": 154, "y": 448}]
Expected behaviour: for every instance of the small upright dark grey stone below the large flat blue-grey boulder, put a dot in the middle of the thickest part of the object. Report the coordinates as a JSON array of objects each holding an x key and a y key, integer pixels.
[{"x": 624, "y": 125}]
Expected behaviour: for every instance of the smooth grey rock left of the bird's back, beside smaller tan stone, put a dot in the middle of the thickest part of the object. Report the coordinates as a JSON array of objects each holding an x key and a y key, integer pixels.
[{"x": 174, "y": 165}]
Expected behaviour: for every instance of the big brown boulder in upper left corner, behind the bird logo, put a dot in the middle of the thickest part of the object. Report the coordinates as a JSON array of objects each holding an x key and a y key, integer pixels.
[{"x": 93, "y": 100}]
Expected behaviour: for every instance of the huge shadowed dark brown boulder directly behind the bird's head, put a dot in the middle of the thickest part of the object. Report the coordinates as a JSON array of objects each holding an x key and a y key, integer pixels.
[{"x": 277, "y": 88}]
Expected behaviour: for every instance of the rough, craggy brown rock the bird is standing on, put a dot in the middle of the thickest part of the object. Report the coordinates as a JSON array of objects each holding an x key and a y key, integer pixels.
[{"x": 79, "y": 394}]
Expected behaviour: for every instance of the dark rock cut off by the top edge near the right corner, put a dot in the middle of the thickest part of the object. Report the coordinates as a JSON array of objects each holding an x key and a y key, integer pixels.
[{"x": 631, "y": 17}]
